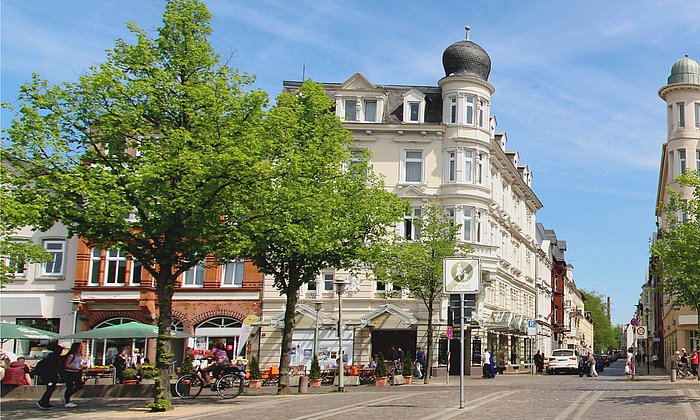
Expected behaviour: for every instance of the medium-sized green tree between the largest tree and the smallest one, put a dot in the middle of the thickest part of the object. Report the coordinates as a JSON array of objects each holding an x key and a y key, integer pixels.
[{"x": 321, "y": 209}]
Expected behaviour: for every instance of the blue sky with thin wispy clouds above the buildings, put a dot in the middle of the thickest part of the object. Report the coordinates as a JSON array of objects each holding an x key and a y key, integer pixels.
[{"x": 576, "y": 87}]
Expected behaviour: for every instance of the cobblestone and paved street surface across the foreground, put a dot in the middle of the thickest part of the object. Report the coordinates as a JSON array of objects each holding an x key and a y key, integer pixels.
[{"x": 505, "y": 397}]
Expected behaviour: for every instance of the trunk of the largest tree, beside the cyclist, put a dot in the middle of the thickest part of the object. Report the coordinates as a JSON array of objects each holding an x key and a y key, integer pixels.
[{"x": 162, "y": 400}]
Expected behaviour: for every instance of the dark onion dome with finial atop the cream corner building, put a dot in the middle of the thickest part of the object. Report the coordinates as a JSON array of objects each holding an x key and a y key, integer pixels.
[{"x": 466, "y": 58}]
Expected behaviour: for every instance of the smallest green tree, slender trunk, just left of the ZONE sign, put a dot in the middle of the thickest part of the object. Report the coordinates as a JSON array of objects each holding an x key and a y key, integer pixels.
[{"x": 418, "y": 265}]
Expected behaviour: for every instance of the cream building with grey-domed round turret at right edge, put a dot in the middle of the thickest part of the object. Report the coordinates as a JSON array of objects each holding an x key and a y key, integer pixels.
[{"x": 676, "y": 328}]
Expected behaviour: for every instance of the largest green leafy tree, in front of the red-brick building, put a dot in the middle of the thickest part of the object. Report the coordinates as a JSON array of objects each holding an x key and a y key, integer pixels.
[{"x": 161, "y": 130}]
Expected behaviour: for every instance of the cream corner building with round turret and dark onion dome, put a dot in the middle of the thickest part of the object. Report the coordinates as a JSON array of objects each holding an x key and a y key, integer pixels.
[{"x": 435, "y": 144}]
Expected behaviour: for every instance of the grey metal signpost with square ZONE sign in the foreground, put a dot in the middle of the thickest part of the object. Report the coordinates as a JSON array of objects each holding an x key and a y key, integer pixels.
[{"x": 462, "y": 276}]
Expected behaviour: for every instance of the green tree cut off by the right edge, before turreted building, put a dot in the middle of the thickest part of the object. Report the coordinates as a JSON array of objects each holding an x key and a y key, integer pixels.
[{"x": 677, "y": 251}]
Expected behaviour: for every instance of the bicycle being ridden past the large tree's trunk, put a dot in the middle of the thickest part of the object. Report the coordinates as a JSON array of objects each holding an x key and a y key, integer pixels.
[{"x": 229, "y": 383}]
